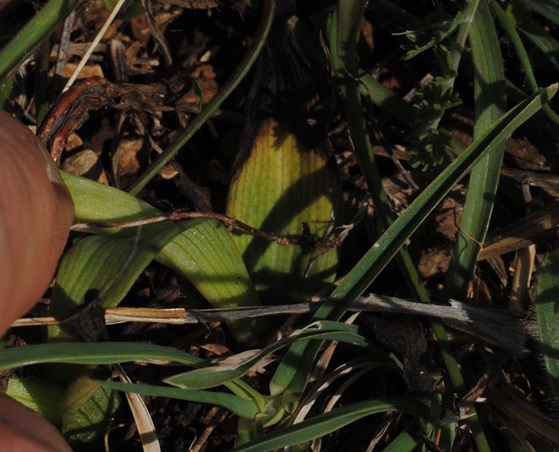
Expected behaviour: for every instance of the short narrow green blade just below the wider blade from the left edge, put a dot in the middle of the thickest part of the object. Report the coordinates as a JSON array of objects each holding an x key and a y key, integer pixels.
[{"x": 241, "y": 407}]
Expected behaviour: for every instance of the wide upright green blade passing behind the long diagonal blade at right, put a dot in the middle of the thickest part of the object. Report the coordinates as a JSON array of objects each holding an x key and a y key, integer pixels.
[{"x": 490, "y": 105}]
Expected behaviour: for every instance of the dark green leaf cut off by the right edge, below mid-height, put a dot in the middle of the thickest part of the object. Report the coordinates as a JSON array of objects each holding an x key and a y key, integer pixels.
[{"x": 547, "y": 302}]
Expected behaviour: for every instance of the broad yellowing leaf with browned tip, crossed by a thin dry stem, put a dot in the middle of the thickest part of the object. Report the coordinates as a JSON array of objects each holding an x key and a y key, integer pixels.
[{"x": 282, "y": 186}]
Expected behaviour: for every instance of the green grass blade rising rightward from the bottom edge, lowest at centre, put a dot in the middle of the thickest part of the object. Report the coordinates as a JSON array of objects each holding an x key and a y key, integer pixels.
[{"x": 324, "y": 424}]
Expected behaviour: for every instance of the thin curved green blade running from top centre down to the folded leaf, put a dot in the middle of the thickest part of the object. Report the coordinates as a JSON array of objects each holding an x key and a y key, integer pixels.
[{"x": 238, "y": 75}]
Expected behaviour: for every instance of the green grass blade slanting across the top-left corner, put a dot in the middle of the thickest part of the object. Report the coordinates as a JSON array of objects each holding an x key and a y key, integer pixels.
[{"x": 39, "y": 28}]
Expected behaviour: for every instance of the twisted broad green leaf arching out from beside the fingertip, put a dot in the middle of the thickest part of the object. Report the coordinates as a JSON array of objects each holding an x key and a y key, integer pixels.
[{"x": 203, "y": 252}]
